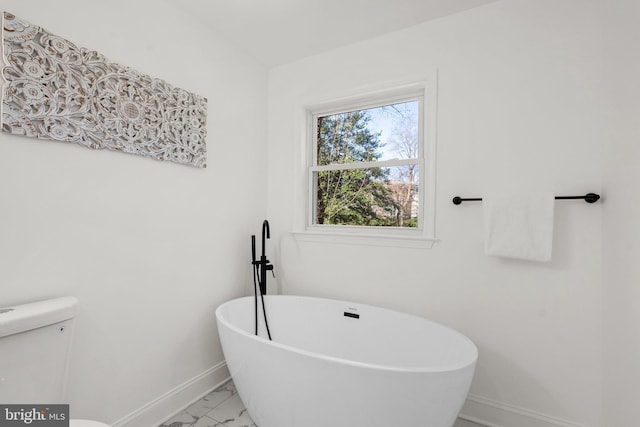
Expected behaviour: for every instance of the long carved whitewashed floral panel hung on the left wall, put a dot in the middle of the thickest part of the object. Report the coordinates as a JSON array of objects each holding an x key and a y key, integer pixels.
[{"x": 55, "y": 90}]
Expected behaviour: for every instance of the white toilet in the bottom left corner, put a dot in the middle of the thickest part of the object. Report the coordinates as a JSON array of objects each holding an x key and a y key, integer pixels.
[{"x": 35, "y": 344}]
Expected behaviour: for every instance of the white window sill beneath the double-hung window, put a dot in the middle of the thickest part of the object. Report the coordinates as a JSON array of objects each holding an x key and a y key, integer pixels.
[{"x": 417, "y": 242}]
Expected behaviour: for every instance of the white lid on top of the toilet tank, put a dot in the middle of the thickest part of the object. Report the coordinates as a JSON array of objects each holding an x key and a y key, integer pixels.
[{"x": 25, "y": 317}]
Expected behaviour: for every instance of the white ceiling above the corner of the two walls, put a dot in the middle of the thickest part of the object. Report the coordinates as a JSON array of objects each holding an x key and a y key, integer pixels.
[{"x": 279, "y": 31}]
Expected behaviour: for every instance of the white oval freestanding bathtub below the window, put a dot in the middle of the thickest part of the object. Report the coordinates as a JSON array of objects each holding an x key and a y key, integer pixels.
[{"x": 342, "y": 364}]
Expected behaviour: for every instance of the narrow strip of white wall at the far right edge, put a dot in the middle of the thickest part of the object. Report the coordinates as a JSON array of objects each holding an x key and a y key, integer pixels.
[{"x": 621, "y": 269}]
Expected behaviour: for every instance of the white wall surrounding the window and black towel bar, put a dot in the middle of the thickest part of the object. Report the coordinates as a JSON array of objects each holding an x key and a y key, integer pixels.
[{"x": 517, "y": 110}]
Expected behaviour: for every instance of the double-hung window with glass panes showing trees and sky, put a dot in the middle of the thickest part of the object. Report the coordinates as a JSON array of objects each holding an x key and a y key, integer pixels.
[{"x": 367, "y": 171}]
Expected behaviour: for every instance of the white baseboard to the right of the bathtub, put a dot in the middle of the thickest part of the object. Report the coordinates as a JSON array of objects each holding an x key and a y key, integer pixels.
[{"x": 491, "y": 413}]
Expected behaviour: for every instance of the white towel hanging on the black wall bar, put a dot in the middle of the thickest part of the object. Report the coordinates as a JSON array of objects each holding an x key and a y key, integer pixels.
[{"x": 519, "y": 225}]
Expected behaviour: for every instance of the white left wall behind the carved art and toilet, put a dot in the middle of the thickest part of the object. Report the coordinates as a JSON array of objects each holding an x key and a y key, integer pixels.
[{"x": 149, "y": 248}]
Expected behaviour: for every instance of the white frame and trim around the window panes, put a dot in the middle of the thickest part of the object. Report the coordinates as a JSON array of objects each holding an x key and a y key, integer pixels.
[{"x": 421, "y": 237}]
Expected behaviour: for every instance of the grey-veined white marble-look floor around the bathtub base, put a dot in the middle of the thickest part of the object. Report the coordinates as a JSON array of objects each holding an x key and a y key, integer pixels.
[{"x": 223, "y": 408}]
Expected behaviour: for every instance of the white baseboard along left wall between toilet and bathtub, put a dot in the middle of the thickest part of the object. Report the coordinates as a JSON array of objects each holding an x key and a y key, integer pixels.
[{"x": 177, "y": 399}]
